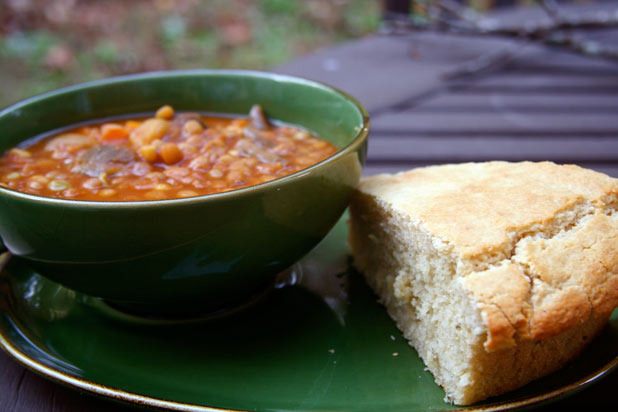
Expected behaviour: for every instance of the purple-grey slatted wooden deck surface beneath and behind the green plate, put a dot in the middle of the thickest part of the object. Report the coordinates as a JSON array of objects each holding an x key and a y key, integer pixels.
[{"x": 543, "y": 104}]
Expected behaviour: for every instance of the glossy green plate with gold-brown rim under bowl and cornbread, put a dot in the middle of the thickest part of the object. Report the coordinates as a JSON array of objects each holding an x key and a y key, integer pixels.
[{"x": 323, "y": 344}]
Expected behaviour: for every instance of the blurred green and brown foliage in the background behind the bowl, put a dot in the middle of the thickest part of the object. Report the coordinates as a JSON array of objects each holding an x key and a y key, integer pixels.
[{"x": 49, "y": 44}]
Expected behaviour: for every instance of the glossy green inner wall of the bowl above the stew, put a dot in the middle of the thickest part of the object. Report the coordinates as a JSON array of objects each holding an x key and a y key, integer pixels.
[{"x": 321, "y": 109}]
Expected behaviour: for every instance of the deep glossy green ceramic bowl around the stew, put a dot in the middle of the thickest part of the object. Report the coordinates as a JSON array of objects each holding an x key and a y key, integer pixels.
[{"x": 184, "y": 255}]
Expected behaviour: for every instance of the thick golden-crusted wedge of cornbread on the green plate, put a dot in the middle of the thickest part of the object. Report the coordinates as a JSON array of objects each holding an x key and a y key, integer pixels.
[{"x": 497, "y": 273}]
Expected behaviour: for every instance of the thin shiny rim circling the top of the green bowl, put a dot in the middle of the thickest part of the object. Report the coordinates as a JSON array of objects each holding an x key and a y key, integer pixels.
[{"x": 359, "y": 138}]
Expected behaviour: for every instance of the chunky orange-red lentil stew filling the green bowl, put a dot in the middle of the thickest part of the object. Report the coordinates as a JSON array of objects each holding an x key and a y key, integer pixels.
[{"x": 167, "y": 156}]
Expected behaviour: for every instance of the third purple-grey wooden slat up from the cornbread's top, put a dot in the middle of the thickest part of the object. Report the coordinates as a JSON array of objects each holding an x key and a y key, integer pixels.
[{"x": 525, "y": 103}]
